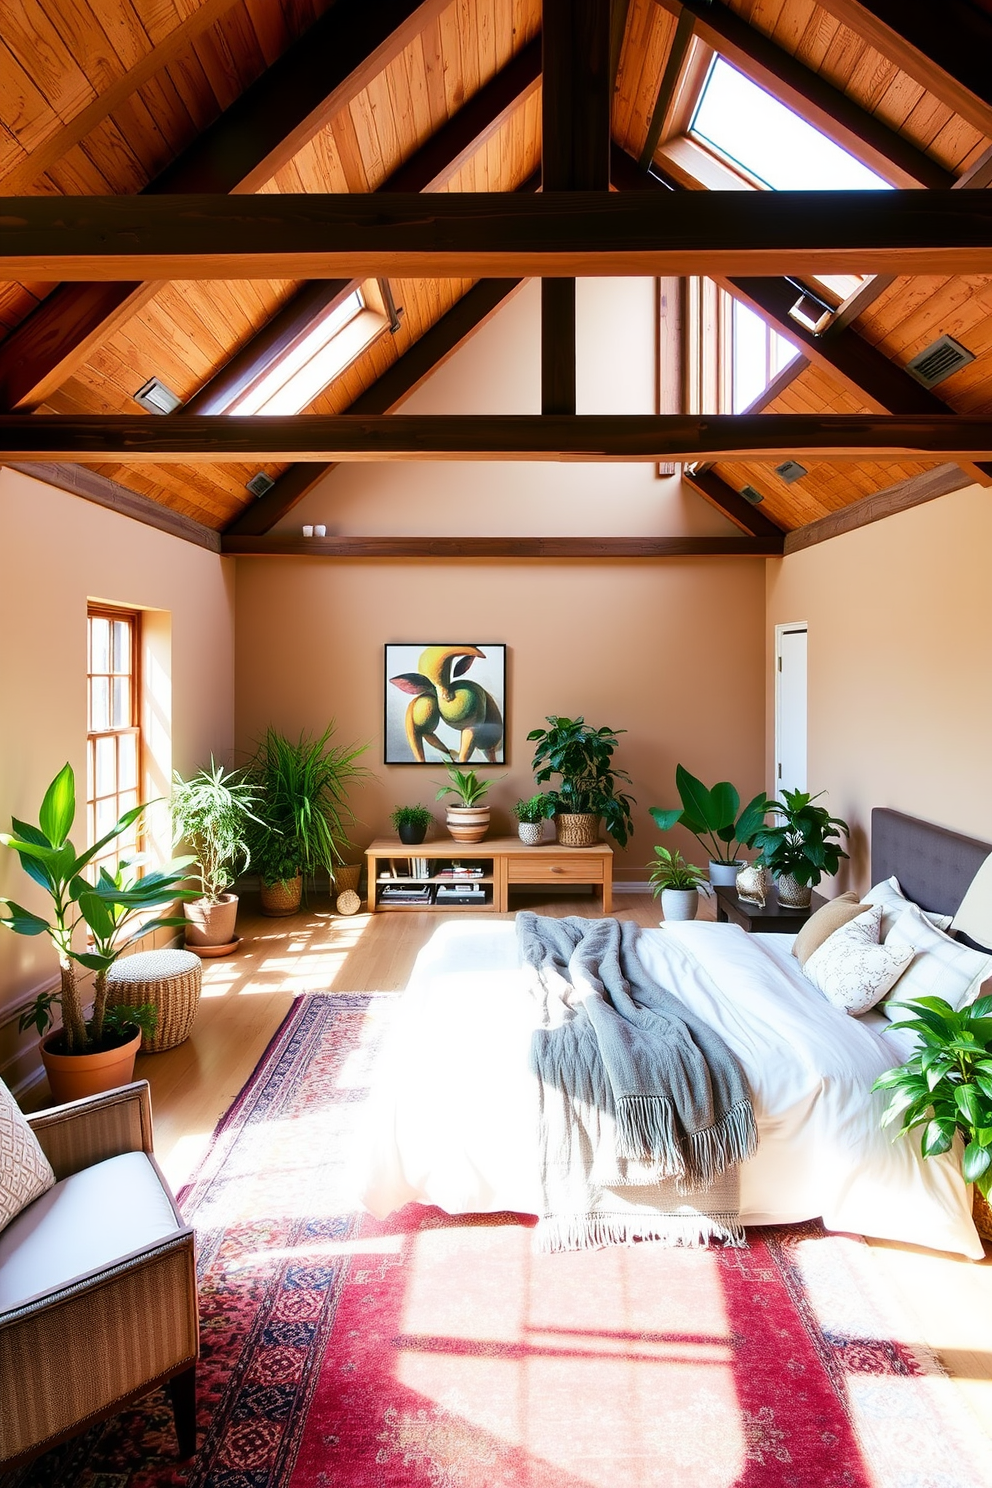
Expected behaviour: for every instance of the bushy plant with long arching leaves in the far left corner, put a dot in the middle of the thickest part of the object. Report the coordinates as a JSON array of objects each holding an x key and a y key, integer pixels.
[{"x": 303, "y": 812}]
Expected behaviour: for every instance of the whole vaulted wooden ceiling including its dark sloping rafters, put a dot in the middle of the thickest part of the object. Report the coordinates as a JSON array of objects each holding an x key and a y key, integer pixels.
[{"x": 120, "y": 97}]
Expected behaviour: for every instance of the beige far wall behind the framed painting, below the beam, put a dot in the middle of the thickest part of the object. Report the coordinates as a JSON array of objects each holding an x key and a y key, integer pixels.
[{"x": 669, "y": 651}]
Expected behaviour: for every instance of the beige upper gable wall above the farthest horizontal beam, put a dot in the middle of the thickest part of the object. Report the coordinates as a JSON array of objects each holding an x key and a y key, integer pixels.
[{"x": 499, "y": 373}]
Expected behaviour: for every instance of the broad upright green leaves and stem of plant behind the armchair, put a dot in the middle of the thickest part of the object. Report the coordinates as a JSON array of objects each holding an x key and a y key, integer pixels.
[{"x": 115, "y": 908}]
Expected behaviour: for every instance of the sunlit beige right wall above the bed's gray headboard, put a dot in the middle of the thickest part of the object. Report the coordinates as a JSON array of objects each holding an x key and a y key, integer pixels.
[{"x": 901, "y": 666}]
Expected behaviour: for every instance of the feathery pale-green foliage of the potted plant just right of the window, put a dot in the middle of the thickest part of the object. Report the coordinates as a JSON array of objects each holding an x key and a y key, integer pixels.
[{"x": 212, "y": 812}]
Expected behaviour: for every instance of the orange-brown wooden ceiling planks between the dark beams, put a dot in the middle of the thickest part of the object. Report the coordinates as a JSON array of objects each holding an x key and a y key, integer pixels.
[{"x": 102, "y": 96}]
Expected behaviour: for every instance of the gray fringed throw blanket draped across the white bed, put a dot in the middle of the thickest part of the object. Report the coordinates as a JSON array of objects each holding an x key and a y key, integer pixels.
[{"x": 645, "y": 1112}]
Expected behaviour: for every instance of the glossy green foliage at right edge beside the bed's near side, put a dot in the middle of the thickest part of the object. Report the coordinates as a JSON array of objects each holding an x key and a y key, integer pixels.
[{"x": 947, "y": 1087}]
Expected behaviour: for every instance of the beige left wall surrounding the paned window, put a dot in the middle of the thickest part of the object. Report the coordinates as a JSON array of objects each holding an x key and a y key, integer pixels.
[{"x": 59, "y": 553}]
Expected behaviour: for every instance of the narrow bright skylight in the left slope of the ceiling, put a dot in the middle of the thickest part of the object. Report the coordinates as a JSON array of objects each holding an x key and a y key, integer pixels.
[{"x": 331, "y": 344}]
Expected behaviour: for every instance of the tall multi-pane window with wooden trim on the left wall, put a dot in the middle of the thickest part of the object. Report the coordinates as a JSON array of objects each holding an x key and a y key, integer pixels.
[{"x": 114, "y": 736}]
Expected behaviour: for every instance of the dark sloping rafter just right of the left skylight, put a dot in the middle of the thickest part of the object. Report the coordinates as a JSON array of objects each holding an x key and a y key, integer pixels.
[{"x": 434, "y": 349}]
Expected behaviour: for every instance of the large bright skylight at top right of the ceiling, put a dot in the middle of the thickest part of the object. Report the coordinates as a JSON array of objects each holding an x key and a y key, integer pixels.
[{"x": 771, "y": 144}]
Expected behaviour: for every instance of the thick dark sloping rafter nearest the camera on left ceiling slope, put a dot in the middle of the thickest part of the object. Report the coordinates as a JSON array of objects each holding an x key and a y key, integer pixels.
[{"x": 318, "y": 77}]
